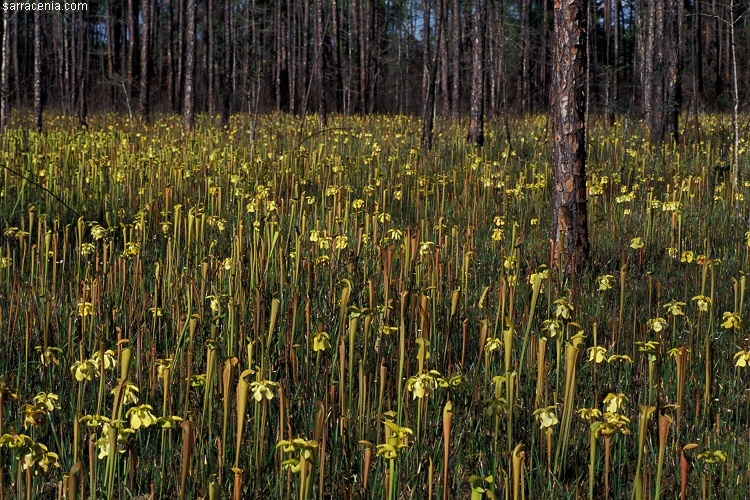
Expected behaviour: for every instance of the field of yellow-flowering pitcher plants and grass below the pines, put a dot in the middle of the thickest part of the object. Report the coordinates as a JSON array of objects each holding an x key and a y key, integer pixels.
[{"x": 343, "y": 315}]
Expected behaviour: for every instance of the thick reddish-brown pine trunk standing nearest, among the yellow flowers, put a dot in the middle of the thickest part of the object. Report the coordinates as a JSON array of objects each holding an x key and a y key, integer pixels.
[{"x": 570, "y": 224}]
